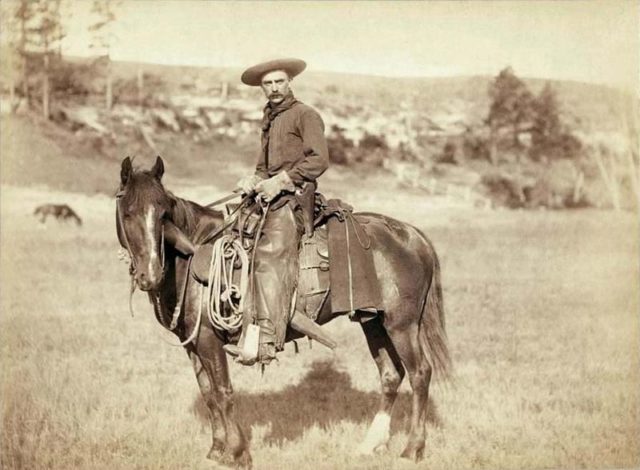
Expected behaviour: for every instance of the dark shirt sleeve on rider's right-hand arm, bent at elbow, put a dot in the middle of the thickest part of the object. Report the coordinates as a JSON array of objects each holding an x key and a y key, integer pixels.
[{"x": 316, "y": 153}]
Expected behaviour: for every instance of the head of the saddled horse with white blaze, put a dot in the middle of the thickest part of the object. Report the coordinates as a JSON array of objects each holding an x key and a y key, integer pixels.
[{"x": 142, "y": 208}]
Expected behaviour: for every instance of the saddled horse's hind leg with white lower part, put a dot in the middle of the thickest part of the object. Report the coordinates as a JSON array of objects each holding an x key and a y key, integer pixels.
[{"x": 391, "y": 375}]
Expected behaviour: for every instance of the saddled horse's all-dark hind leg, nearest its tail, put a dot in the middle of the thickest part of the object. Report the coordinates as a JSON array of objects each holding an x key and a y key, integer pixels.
[{"x": 405, "y": 339}]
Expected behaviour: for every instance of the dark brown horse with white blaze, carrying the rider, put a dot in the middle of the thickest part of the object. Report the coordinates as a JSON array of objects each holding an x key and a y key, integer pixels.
[{"x": 408, "y": 336}]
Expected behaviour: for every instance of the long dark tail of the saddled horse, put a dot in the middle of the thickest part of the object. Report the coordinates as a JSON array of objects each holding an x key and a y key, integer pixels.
[{"x": 431, "y": 333}]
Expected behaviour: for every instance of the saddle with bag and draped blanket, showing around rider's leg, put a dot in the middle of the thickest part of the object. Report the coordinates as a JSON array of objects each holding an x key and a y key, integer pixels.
[{"x": 335, "y": 260}]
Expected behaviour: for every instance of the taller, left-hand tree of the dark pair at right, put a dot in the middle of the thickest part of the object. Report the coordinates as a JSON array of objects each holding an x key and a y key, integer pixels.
[{"x": 510, "y": 112}]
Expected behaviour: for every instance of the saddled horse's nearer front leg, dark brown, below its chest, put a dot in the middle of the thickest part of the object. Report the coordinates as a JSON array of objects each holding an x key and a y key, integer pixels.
[{"x": 214, "y": 361}]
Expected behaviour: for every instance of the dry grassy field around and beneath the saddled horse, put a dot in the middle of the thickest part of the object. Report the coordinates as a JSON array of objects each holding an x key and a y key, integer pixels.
[{"x": 542, "y": 312}]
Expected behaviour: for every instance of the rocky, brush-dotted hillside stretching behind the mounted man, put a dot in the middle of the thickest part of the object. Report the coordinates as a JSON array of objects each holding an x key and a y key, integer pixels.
[{"x": 205, "y": 124}]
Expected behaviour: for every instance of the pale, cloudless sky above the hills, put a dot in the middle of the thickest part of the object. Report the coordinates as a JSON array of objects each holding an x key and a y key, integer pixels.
[{"x": 594, "y": 41}]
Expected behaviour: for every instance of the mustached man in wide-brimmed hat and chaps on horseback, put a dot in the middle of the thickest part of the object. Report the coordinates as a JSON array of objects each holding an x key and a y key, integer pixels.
[{"x": 293, "y": 155}]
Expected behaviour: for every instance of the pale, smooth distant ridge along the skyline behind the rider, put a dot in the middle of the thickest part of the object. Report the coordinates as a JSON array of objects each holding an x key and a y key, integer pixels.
[{"x": 592, "y": 106}]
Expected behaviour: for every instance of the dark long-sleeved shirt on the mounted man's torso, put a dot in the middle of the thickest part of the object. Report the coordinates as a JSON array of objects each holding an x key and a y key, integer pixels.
[{"x": 296, "y": 145}]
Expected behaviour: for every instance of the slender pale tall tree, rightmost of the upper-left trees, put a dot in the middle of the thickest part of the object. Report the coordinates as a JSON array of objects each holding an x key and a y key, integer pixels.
[{"x": 102, "y": 40}]
